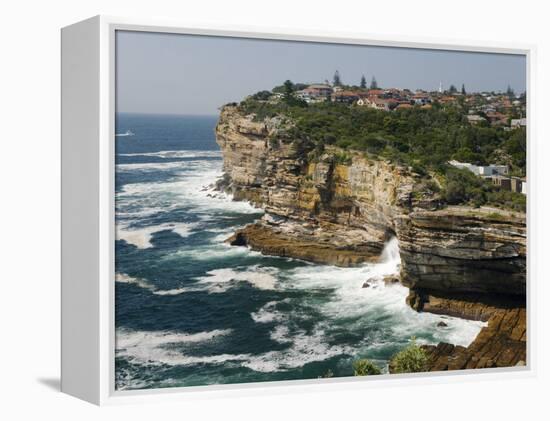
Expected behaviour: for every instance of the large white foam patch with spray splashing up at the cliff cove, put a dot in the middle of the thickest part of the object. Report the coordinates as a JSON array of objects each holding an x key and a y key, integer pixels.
[{"x": 351, "y": 300}]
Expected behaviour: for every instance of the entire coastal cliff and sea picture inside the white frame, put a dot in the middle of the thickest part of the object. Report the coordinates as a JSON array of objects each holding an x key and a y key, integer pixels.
[{"x": 298, "y": 210}]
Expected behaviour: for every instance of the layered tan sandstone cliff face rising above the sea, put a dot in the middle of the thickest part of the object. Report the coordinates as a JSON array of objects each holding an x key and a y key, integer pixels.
[{"x": 340, "y": 209}]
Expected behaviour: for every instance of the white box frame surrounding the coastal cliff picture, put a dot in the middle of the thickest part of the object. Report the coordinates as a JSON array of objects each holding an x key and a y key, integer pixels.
[{"x": 88, "y": 100}]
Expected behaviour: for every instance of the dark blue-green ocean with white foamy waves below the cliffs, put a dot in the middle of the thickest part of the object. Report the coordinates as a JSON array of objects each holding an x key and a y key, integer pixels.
[{"x": 191, "y": 310}]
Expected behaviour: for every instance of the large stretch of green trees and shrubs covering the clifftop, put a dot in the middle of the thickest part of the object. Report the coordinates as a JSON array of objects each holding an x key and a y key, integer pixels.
[{"x": 422, "y": 139}]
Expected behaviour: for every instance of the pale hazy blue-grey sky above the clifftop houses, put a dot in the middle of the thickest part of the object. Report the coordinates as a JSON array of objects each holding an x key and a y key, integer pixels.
[{"x": 190, "y": 74}]
